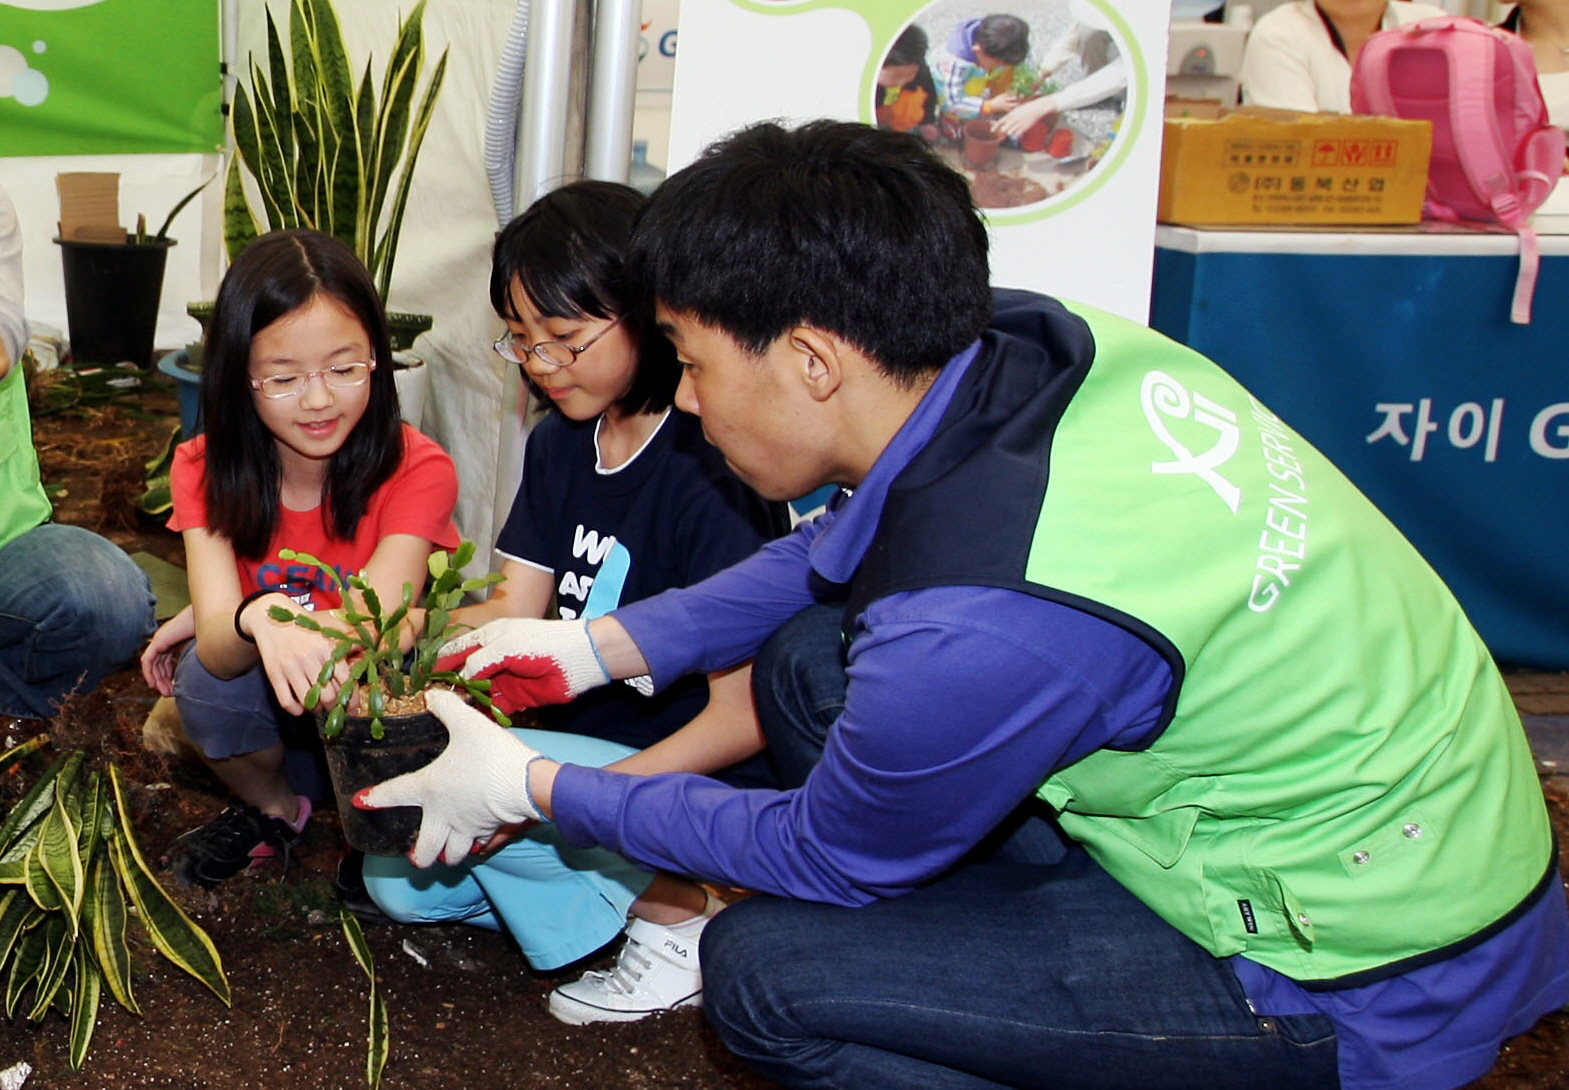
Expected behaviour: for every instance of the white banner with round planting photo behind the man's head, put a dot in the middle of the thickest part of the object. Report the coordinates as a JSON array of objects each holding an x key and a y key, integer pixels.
[{"x": 1049, "y": 107}]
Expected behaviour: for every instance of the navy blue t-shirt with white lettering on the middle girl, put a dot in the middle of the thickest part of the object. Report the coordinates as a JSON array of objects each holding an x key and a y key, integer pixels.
[{"x": 671, "y": 517}]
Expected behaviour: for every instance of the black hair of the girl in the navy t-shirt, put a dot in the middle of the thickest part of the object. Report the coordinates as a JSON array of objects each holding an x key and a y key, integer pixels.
[{"x": 569, "y": 255}]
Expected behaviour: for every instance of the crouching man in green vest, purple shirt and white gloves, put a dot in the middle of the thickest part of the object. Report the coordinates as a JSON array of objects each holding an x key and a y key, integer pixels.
[{"x": 1130, "y": 746}]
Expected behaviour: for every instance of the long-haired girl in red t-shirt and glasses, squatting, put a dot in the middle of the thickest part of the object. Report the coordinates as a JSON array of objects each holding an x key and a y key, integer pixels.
[{"x": 304, "y": 449}]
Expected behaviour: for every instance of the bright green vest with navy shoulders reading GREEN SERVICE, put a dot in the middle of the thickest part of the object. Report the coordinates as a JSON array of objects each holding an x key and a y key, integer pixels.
[{"x": 1342, "y": 790}]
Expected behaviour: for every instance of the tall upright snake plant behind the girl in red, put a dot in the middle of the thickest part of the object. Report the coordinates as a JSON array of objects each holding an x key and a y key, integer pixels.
[{"x": 327, "y": 150}]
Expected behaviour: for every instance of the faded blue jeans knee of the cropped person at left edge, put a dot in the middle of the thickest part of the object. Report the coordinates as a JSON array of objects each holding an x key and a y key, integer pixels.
[{"x": 73, "y": 609}]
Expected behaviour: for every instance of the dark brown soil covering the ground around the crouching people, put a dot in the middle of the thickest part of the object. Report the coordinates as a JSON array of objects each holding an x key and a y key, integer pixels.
[{"x": 465, "y": 1011}]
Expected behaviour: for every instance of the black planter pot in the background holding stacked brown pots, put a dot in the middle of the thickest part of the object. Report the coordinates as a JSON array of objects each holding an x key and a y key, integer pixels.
[{"x": 112, "y": 299}]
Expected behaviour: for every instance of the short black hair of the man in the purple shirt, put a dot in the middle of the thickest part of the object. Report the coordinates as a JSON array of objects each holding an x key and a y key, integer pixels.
[{"x": 851, "y": 230}]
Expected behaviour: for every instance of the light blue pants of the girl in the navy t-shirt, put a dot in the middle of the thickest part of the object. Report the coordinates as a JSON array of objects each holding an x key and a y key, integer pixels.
[{"x": 559, "y": 903}]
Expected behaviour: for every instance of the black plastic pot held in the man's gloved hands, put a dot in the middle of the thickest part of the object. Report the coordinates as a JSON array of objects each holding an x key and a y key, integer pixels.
[{"x": 357, "y": 761}]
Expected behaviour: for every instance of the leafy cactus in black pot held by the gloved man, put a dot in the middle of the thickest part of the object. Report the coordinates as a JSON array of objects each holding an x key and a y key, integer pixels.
[{"x": 377, "y": 727}]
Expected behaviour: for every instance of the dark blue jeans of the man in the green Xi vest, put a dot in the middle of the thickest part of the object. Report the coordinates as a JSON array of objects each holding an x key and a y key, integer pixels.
[{"x": 1025, "y": 967}]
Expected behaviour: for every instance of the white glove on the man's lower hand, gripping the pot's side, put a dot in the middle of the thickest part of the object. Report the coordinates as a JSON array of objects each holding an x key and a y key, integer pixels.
[{"x": 478, "y": 785}]
